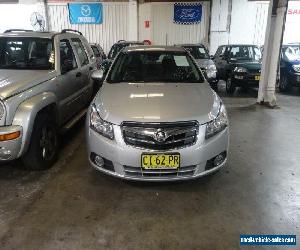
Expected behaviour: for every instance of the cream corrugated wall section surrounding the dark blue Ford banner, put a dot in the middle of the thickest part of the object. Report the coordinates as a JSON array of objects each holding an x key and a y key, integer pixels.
[{"x": 163, "y": 31}]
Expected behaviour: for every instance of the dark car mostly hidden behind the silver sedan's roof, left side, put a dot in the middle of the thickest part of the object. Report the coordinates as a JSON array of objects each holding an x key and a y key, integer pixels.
[{"x": 115, "y": 49}]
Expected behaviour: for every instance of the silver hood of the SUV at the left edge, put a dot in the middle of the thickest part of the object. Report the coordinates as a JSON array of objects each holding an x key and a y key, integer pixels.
[{"x": 16, "y": 81}]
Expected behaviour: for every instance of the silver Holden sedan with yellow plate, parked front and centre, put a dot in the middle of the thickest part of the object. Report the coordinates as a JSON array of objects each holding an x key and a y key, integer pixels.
[{"x": 156, "y": 118}]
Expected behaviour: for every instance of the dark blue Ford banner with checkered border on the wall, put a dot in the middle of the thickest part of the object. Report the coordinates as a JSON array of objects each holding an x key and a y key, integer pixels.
[{"x": 187, "y": 13}]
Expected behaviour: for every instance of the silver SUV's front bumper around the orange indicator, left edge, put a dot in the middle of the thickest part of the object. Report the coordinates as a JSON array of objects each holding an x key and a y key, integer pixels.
[{"x": 9, "y": 149}]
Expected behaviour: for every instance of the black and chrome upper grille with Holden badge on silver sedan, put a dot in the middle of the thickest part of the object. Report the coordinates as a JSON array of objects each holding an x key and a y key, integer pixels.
[{"x": 160, "y": 136}]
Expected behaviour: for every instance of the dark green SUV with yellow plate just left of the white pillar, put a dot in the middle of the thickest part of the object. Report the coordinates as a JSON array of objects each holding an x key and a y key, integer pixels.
[{"x": 238, "y": 65}]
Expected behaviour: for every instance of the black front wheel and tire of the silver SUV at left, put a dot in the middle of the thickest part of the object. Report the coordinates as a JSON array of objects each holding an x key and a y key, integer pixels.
[{"x": 43, "y": 149}]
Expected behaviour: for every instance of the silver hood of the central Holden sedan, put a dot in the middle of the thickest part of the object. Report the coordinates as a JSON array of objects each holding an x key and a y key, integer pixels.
[{"x": 155, "y": 102}]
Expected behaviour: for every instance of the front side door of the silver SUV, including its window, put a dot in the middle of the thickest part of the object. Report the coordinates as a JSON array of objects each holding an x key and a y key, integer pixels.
[{"x": 68, "y": 81}]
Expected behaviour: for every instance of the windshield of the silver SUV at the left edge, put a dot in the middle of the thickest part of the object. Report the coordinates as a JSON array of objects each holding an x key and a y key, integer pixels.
[{"x": 26, "y": 53}]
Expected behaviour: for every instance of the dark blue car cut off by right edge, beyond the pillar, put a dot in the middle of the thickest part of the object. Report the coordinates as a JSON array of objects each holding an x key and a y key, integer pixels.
[{"x": 289, "y": 67}]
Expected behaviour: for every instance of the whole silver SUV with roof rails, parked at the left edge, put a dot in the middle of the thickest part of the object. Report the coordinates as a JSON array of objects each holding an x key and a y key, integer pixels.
[{"x": 45, "y": 86}]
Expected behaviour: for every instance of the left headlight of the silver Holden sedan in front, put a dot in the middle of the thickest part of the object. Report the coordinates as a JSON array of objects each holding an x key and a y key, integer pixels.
[{"x": 99, "y": 125}]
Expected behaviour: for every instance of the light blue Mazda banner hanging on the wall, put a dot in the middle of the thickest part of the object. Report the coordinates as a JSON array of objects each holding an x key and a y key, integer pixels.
[{"x": 85, "y": 13}]
